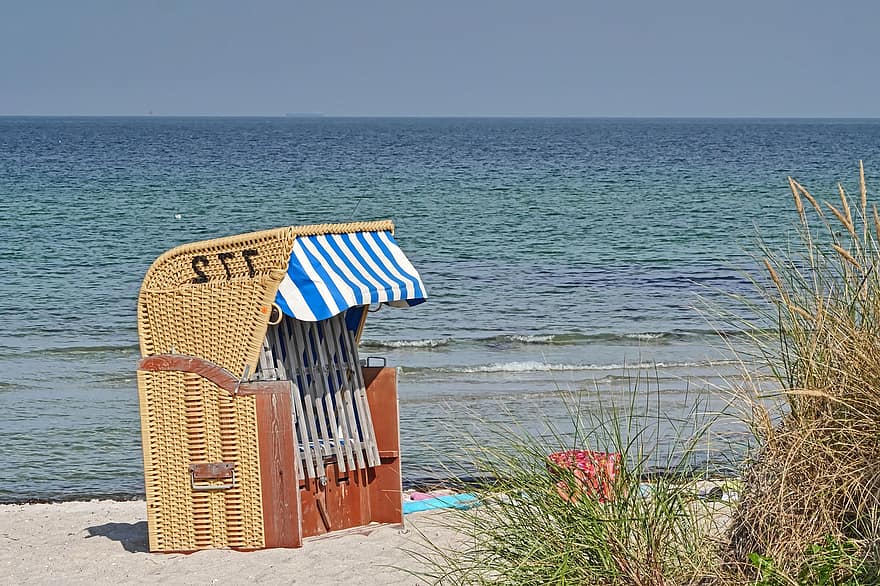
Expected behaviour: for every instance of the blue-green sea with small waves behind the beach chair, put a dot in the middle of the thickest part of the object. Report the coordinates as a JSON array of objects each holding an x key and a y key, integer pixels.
[{"x": 565, "y": 259}]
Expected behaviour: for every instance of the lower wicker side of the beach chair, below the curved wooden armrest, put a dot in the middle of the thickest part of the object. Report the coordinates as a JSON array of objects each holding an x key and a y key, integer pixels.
[{"x": 186, "y": 419}]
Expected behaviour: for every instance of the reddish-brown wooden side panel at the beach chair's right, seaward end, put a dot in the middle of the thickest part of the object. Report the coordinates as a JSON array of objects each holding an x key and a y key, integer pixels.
[{"x": 386, "y": 493}]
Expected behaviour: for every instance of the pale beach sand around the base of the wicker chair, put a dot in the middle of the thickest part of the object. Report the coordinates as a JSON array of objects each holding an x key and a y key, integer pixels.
[{"x": 105, "y": 542}]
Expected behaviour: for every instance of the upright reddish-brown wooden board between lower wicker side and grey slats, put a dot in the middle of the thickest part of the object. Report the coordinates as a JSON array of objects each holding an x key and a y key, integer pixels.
[{"x": 280, "y": 488}]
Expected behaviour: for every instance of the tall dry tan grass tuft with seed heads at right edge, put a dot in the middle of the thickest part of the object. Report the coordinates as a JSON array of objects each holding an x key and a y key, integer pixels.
[{"x": 812, "y": 492}]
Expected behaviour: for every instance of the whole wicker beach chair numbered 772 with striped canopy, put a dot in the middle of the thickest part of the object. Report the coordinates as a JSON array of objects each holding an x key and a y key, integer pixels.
[{"x": 260, "y": 424}]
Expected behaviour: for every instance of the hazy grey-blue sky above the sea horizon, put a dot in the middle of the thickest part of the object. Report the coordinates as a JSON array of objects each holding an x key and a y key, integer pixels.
[{"x": 447, "y": 57}]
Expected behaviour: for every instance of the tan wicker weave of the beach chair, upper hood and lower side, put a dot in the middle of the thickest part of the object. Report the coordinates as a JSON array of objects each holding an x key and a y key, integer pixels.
[{"x": 211, "y": 300}]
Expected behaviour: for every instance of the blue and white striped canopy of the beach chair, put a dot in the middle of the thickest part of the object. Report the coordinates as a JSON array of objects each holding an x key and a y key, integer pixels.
[{"x": 330, "y": 273}]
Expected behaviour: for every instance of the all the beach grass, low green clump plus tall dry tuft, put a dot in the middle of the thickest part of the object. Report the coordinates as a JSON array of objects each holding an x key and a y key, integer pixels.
[{"x": 808, "y": 497}]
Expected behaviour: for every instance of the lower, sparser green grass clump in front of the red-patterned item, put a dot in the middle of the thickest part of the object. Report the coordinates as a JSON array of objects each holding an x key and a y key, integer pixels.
[{"x": 539, "y": 524}]
